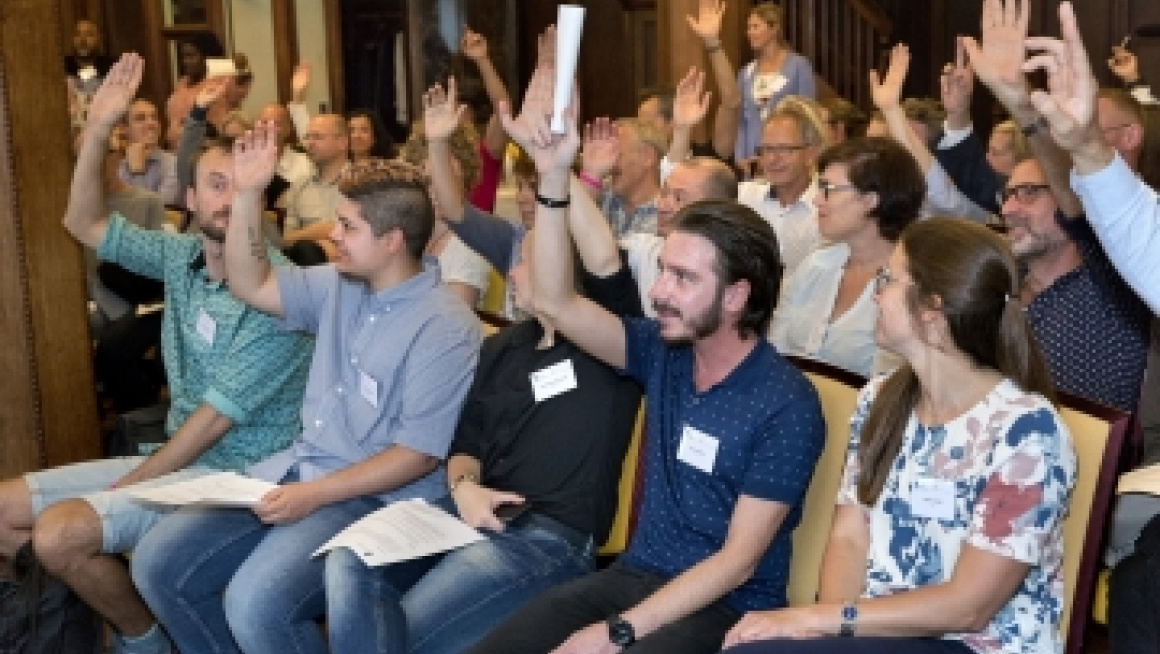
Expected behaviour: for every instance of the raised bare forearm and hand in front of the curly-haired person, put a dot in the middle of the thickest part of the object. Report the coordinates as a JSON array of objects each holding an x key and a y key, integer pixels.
[{"x": 443, "y": 114}]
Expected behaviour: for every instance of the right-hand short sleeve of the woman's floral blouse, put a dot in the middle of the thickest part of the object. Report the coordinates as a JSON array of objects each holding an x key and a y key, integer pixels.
[{"x": 1026, "y": 495}]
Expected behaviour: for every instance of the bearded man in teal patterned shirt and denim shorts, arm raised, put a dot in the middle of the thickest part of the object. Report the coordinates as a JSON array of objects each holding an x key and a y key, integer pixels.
[{"x": 235, "y": 380}]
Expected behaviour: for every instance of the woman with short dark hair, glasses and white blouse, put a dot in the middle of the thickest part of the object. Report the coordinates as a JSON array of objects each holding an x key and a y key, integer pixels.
[{"x": 869, "y": 191}]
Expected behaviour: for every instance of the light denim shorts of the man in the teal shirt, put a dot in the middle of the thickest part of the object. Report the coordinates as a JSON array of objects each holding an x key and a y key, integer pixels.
[{"x": 125, "y": 520}]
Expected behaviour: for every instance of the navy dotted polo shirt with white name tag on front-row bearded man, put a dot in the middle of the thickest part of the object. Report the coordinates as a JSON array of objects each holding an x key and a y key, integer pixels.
[{"x": 759, "y": 433}]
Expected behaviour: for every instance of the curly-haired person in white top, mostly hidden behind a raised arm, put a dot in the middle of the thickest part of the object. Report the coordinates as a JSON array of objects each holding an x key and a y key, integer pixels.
[{"x": 454, "y": 151}]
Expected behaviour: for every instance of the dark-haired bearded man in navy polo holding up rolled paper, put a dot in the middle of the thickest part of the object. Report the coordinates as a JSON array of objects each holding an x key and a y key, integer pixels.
[{"x": 735, "y": 431}]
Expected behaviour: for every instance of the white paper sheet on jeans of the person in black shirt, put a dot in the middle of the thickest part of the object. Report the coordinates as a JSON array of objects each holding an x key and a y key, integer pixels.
[{"x": 401, "y": 532}]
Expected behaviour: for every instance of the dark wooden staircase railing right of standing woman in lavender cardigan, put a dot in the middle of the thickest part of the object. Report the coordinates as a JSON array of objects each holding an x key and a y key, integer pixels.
[{"x": 843, "y": 39}]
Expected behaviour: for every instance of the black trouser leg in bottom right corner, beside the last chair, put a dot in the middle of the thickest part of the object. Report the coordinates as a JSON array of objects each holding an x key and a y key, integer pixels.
[{"x": 1134, "y": 597}]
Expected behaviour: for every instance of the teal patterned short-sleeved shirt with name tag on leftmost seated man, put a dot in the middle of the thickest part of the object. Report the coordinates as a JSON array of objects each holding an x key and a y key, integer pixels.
[{"x": 216, "y": 350}]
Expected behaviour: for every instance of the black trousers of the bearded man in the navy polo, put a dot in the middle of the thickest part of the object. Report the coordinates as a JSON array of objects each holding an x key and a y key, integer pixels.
[{"x": 550, "y": 619}]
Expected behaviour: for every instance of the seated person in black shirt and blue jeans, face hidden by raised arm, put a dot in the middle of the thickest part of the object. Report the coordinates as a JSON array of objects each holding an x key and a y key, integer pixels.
[{"x": 554, "y": 455}]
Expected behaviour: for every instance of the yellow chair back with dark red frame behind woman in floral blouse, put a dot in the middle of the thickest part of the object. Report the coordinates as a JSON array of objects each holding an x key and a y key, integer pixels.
[{"x": 1098, "y": 435}]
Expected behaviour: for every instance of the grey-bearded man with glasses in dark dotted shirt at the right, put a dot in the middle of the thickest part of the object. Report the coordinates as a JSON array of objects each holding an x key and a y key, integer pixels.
[{"x": 1092, "y": 328}]
